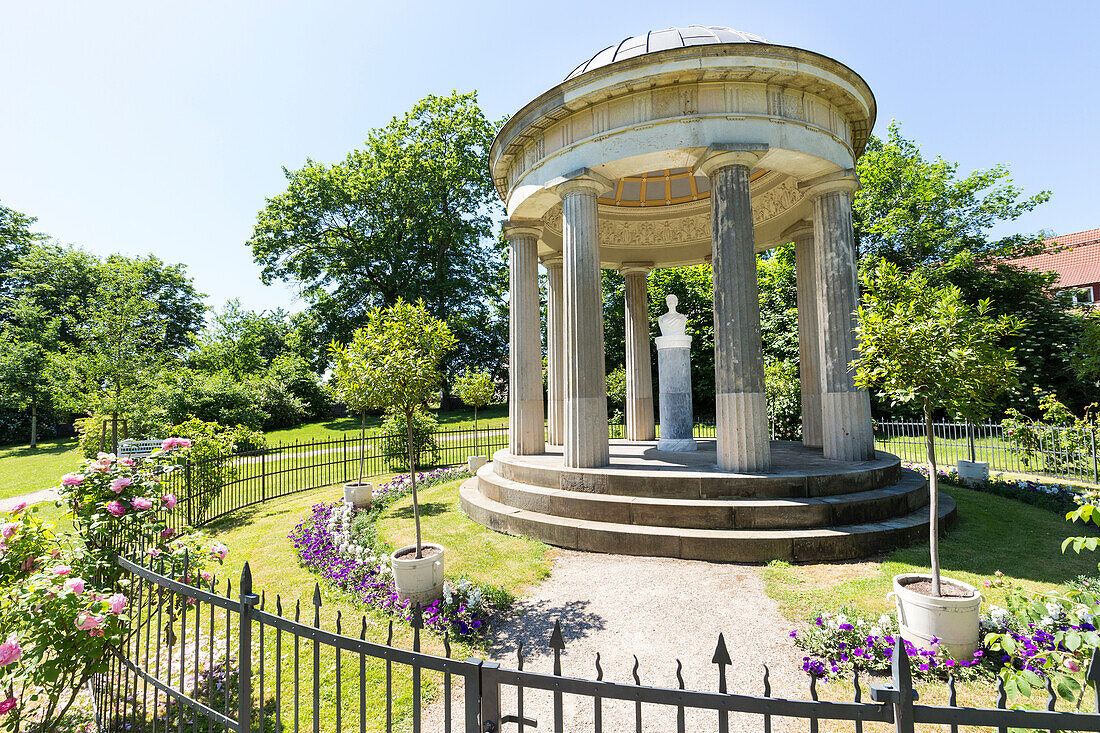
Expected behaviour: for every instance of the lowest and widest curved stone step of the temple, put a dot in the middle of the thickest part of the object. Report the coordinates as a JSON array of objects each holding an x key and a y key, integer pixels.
[{"x": 808, "y": 545}]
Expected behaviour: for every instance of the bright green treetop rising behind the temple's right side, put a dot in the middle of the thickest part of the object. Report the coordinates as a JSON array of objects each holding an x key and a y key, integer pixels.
[{"x": 914, "y": 212}]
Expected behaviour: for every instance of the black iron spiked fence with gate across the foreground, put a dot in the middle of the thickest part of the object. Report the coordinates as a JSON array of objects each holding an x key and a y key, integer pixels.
[{"x": 205, "y": 658}]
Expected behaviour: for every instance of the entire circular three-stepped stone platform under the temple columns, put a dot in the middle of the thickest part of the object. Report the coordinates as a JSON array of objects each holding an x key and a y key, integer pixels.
[{"x": 648, "y": 502}]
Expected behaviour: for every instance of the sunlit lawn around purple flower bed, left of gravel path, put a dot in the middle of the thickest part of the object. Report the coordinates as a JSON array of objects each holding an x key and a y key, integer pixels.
[{"x": 259, "y": 535}]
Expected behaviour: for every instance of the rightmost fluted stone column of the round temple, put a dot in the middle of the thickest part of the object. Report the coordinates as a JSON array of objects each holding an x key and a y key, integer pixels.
[{"x": 846, "y": 410}]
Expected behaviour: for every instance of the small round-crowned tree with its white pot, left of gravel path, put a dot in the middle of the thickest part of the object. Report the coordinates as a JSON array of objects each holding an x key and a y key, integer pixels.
[{"x": 401, "y": 349}]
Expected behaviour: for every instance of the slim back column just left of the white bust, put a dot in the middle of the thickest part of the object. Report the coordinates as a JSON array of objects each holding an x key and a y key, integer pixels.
[{"x": 640, "y": 368}]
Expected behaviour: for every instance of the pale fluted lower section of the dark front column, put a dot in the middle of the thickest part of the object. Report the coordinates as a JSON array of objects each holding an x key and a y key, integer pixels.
[{"x": 744, "y": 444}]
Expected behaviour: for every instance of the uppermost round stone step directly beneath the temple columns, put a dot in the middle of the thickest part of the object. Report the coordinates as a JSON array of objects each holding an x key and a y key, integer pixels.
[{"x": 802, "y": 474}]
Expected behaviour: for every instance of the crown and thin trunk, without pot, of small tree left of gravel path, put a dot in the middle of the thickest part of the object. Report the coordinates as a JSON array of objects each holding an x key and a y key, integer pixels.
[{"x": 394, "y": 364}]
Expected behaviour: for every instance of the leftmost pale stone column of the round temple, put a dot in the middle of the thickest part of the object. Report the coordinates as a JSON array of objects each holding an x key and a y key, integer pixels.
[{"x": 525, "y": 347}]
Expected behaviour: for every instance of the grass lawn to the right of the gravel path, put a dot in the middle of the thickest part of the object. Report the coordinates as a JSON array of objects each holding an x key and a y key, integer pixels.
[{"x": 992, "y": 534}]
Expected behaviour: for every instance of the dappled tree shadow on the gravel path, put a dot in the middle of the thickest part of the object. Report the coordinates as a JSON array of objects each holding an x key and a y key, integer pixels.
[{"x": 532, "y": 622}]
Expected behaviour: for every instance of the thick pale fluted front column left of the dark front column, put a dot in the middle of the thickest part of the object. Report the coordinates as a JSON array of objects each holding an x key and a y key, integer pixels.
[{"x": 587, "y": 434}]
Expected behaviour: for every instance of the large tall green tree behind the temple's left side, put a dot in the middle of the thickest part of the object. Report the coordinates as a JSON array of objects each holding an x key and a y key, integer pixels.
[{"x": 409, "y": 216}]
